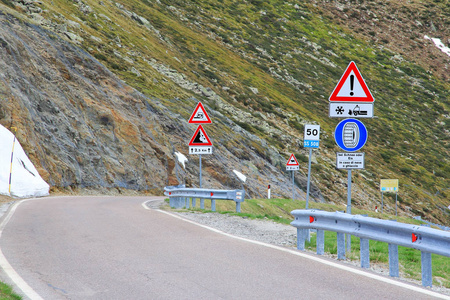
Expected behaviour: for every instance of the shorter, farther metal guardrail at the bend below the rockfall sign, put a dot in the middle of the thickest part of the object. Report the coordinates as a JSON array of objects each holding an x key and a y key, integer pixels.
[{"x": 180, "y": 197}]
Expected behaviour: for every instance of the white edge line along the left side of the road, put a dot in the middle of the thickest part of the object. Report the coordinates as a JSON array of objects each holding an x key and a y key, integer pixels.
[{"x": 9, "y": 270}]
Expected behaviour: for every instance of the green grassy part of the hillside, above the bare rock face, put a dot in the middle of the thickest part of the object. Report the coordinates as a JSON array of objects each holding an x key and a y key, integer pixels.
[{"x": 266, "y": 44}]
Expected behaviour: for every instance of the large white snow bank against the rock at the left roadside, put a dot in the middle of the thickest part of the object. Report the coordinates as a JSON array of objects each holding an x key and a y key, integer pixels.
[{"x": 25, "y": 179}]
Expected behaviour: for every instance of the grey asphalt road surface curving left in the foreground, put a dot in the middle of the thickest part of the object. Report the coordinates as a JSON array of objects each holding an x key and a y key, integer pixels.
[{"x": 114, "y": 248}]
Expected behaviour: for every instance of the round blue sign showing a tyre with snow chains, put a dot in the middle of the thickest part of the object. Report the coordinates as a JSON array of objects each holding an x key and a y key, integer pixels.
[{"x": 350, "y": 135}]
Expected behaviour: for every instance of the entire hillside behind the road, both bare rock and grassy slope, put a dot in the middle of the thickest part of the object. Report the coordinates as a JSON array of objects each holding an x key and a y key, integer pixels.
[{"x": 101, "y": 92}]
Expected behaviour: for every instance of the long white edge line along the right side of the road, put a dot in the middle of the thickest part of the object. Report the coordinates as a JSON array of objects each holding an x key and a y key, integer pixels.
[{"x": 307, "y": 256}]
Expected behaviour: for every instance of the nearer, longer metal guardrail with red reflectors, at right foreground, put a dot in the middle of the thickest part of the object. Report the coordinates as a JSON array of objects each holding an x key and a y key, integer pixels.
[{"x": 425, "y": 239}]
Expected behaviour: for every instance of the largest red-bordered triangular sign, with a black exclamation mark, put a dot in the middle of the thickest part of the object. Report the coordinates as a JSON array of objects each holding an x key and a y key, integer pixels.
[{"x": 351, "y": 87}]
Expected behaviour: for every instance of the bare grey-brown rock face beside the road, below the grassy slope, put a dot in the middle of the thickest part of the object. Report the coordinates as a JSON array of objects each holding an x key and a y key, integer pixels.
[{"x": 83, "y": 127}]
